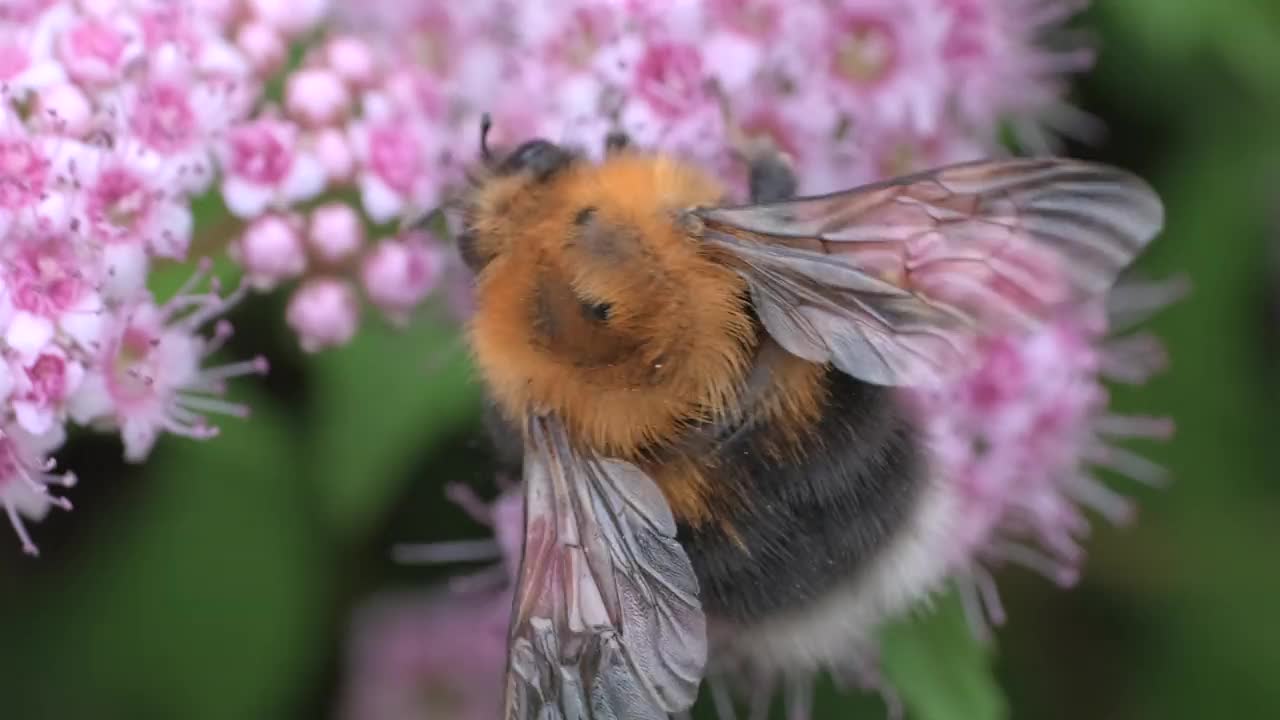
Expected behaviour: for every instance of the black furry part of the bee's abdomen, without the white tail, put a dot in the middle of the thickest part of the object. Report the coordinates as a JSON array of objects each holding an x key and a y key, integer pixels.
[{"x": 799, "y": 528}]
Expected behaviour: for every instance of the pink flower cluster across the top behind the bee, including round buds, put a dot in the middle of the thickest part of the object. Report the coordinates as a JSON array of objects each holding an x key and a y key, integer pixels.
[{"x": 386, "y": 108}]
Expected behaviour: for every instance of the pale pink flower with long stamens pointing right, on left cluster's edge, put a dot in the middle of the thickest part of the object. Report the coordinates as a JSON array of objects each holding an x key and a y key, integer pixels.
[{"x": 147, "y": 376}]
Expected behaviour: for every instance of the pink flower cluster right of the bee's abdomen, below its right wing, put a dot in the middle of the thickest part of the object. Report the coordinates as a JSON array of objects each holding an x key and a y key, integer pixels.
[{"x": 1017, "y": 441}]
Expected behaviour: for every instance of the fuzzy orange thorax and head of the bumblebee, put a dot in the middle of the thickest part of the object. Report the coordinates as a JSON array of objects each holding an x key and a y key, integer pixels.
[{"x": 595, "y": 300}]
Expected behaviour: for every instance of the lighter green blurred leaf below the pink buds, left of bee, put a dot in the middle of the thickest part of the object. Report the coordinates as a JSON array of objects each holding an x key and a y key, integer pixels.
[{"x": 381, "y": 404}]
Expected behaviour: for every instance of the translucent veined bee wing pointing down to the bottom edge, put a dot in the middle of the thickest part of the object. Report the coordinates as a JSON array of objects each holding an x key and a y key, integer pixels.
[{"x": 607, "y": 622}]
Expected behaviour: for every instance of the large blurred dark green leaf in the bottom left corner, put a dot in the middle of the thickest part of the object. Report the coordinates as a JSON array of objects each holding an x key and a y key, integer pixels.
[{"x": 203, "y": 596}]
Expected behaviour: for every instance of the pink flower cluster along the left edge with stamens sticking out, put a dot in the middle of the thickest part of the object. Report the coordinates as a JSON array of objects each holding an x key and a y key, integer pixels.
[{"x": 109, "y": 115}]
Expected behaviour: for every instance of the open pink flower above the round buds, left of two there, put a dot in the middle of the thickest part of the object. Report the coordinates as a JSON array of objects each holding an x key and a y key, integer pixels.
[{"x": 266, "y": 167}]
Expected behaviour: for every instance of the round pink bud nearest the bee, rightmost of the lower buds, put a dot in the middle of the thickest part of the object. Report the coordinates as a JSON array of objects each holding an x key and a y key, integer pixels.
[{"x": 400, "y": 274}]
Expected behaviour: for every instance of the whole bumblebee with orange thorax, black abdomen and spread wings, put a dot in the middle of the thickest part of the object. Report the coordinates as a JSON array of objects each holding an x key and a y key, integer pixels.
[{"x": 701, "y": 395}]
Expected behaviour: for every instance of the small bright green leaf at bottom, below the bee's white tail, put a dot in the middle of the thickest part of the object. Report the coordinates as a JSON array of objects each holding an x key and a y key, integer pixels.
[{"x": 939, "y": 669}]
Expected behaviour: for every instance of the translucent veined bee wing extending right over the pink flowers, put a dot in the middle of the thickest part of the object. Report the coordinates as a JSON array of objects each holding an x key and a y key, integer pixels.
[{"x": 890, "y": 281}]
